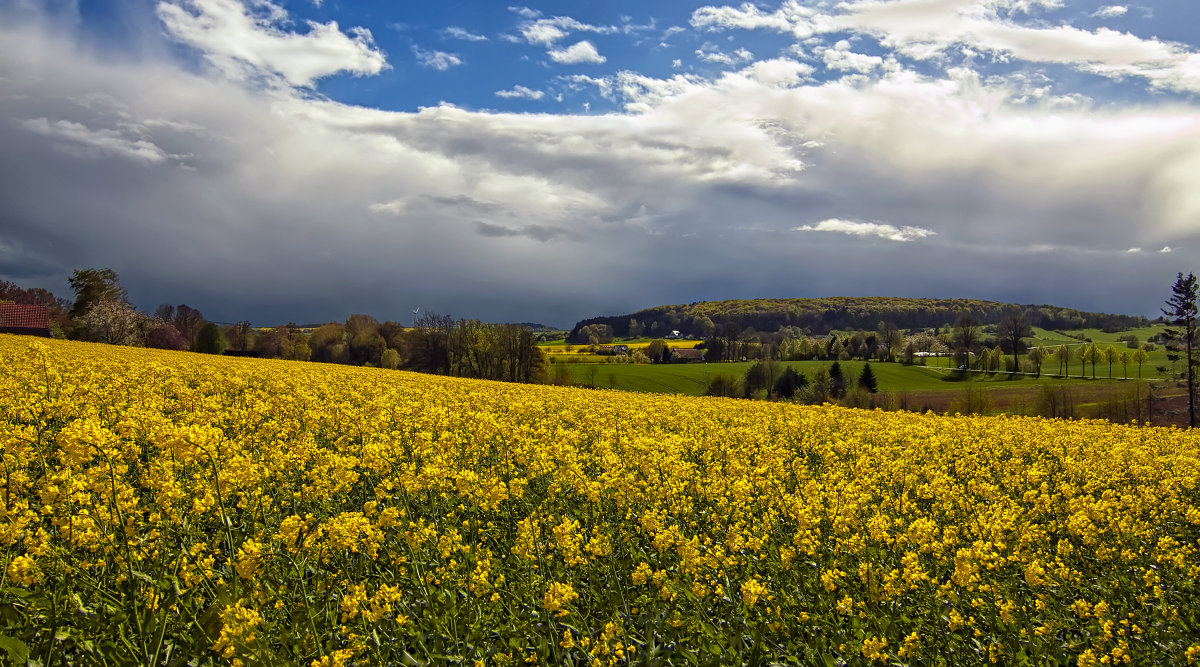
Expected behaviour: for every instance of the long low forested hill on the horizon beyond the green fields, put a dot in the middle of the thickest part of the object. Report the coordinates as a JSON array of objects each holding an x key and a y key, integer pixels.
[{"x": 820, "y": 316}]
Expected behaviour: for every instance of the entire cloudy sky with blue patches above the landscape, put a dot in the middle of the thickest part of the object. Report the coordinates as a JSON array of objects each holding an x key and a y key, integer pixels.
[{"x": 307, "y": 160}]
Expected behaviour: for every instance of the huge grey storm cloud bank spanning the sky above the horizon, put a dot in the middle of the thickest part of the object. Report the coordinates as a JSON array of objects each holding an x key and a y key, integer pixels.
[{"x": 266, "y": 205}]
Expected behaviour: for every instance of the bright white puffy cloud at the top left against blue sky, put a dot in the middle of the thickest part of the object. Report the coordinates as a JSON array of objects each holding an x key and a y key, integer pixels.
[{"x": 245, "y": 44}]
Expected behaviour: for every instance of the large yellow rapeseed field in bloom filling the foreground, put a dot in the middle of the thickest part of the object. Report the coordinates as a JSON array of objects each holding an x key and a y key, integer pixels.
[{"x": 178, "y": 509}]
